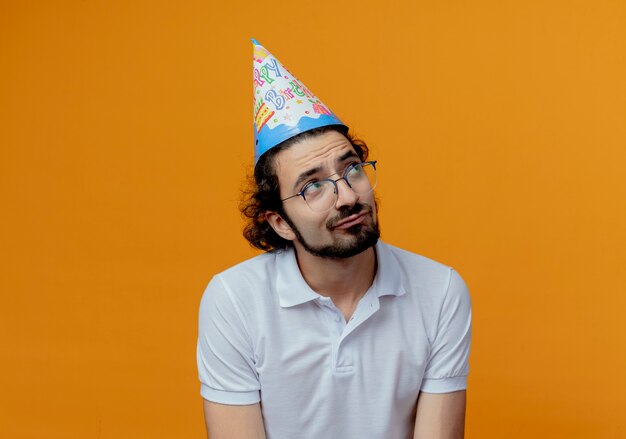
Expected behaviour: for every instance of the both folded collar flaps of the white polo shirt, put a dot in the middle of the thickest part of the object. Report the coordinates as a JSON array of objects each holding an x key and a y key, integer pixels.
[{"x": 293, "y": 290}]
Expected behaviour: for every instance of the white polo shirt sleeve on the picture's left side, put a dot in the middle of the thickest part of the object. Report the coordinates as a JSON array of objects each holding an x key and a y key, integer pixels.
[{"x": 225, "y": 356}]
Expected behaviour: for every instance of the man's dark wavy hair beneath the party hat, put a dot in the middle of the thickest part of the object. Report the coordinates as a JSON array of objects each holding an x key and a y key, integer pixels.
[{"x": 263, "y": 194}]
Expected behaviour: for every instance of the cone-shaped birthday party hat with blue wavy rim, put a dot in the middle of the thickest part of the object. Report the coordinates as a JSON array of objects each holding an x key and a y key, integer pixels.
[{"x": 283, "y": 106}]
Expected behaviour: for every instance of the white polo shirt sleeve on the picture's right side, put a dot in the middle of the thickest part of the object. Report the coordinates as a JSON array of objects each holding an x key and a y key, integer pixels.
[{"x": 448, "y": 364}]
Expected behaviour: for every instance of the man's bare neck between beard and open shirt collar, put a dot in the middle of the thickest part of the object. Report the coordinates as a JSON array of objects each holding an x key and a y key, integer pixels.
[{"x": 343, "y": 280}]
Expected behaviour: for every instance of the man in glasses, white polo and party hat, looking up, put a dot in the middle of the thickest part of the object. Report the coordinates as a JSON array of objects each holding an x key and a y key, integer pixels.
[{"x": 331, "y": 333}]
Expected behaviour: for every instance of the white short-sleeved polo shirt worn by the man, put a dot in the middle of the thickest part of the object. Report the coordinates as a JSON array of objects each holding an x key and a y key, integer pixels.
[{"x": 265, "y": 335}]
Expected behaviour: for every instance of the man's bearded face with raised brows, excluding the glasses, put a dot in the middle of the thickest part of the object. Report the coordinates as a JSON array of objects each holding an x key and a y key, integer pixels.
[{"x": 351, "y": 225}]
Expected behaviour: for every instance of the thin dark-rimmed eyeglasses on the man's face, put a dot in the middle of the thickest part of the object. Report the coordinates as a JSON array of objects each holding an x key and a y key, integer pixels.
[{"x": 321, "y": 195}]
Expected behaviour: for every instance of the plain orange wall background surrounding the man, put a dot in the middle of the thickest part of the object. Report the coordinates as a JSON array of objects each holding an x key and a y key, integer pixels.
[{"x": 125, "y": 131}]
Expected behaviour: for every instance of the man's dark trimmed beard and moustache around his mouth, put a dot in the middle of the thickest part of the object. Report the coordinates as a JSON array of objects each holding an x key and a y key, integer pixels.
[{"x": 361, "y": 237}]
